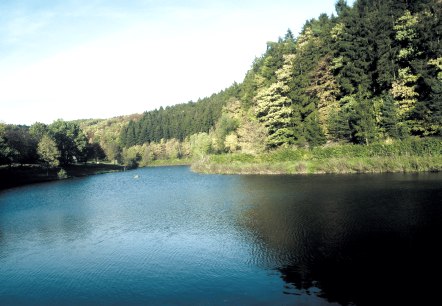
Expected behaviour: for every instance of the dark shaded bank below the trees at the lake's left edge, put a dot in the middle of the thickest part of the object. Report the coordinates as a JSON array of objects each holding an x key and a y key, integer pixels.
[{"x": 18, "y": 175}]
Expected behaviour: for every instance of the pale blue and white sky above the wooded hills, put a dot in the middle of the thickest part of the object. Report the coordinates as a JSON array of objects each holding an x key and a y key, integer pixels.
[{"x": 80, "y": 59}]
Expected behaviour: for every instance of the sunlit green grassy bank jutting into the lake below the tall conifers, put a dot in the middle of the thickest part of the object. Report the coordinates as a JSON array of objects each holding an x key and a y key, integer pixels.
[{"x": 414, "y": 155}]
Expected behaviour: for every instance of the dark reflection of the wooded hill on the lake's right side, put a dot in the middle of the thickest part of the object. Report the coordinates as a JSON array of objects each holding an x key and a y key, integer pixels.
[{"x": 363, "y": 240}]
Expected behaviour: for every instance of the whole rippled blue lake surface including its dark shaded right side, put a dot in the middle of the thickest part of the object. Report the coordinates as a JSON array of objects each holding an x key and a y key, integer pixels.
[{"x": 175, "y": 237}]
